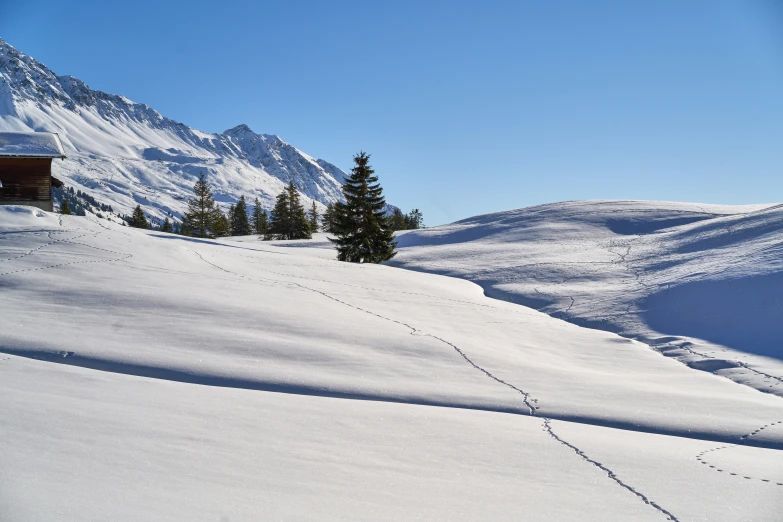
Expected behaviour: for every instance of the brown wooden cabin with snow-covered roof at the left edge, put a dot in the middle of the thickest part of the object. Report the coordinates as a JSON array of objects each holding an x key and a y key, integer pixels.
[{"x": 26, "y": 168}]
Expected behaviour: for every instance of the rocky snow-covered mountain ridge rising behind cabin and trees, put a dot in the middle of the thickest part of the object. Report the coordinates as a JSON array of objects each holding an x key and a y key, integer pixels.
[{"x": 124, "y": 153}]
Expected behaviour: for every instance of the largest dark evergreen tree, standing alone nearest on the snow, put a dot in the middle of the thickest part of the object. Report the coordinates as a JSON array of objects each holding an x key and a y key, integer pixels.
[{"x": 364, "y": 233}]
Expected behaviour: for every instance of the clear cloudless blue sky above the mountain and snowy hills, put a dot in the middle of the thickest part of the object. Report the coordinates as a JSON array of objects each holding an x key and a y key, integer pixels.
[{"x": 466, "y": 107}]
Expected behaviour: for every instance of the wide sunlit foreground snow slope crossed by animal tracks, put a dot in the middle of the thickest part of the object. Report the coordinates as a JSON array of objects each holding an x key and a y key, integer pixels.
[{"x": 145, "y": 376}]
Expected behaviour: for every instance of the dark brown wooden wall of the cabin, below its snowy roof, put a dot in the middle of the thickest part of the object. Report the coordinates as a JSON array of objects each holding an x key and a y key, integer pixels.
[{"x": 25, "y": 179}]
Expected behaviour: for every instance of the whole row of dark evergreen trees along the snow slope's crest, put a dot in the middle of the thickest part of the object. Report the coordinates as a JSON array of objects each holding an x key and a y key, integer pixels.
[{"x": 364, "y": 232}]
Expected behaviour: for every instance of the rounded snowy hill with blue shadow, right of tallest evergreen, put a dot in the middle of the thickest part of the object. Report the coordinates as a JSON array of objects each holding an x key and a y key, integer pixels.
[{"x": 701, "y": 283}]
